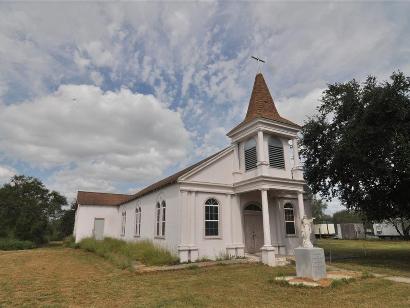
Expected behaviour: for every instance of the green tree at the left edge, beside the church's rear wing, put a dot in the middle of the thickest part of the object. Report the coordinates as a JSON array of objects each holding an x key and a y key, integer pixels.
[{"x": 27, "y": 208}]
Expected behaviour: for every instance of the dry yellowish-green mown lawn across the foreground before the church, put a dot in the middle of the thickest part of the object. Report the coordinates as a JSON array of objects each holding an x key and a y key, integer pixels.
[{"x": 60, "y": 276}]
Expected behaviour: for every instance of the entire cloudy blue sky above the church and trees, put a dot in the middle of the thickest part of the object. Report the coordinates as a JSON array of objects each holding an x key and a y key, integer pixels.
[{"x": 112, "y": 96}]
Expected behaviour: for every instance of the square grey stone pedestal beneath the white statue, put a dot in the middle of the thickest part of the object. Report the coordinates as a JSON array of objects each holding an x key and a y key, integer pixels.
[{"x": 310, "y": 263}]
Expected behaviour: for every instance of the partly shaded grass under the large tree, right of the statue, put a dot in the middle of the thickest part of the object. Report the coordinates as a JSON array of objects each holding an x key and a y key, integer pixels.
[{"x": 384, "y": 257}]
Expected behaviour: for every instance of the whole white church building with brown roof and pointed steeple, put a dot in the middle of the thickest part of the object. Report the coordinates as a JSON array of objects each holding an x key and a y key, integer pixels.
[{"x": 248, "y": 198}]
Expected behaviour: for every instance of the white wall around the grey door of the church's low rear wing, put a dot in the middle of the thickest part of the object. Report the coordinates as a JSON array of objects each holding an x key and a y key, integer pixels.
[{"x": 85, "y": 216}]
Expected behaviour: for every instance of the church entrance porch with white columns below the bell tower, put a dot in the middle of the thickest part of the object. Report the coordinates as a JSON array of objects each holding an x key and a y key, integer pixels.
[{"x": 270, "y": 219}]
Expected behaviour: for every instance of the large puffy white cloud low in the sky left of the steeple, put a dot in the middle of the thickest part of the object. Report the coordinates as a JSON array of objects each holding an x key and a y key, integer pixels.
[{"x": 94, "y": 136}]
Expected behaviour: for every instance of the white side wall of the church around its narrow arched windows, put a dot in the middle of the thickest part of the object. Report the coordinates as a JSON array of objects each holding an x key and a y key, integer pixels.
[{"x": 148, "y": 219}]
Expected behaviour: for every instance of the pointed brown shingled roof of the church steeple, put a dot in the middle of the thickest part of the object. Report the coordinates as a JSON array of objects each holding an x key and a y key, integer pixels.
[{"x": 261, "y": 105}]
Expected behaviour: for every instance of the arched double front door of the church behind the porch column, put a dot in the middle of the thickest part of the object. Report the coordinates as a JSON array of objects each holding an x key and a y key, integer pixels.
[{"x": 253, "y": 224}]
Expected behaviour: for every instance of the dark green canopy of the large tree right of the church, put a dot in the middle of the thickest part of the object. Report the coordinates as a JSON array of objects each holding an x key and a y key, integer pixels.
[{"x": 357, "y": 147}]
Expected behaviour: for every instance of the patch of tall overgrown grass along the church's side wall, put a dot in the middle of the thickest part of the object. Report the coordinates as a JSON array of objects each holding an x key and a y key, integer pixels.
[{"x": 123, "y": 254}]
